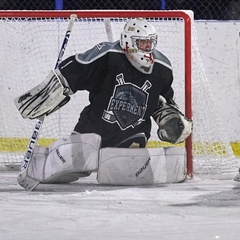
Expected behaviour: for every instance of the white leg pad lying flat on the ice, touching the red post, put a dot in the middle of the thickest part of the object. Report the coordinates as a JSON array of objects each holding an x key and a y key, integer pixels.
[{"x": 120, "y": 166}]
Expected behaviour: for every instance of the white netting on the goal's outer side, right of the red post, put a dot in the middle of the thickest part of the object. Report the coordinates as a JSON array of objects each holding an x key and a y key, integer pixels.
[{"x": 211, "y": 147}]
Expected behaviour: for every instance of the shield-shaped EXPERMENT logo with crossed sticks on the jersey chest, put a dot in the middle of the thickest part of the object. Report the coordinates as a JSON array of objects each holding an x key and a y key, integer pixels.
[{"x": 128, "y": 104}]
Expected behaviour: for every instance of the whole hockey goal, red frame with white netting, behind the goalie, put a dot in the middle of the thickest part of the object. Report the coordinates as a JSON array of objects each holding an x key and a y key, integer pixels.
[{"x": 29, "y": 46}]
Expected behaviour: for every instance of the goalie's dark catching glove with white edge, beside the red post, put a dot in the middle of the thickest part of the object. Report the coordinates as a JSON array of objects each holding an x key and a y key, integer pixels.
[{"x": 174, "y": 127}]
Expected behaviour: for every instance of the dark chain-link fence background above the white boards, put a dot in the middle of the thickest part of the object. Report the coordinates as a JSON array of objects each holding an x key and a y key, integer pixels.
[{"x": 203, "y": 9}]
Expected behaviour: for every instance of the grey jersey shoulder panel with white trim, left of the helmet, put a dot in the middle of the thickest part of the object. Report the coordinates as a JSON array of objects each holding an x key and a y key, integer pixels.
[{"x": 98, "y": 51}]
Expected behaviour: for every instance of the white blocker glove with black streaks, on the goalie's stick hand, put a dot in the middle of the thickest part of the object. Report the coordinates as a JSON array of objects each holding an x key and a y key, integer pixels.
[{"x": 45, "y": 98}]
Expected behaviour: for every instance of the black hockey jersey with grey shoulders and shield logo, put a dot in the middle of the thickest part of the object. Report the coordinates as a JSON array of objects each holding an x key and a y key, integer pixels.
[{"x": 122, "y": 99}]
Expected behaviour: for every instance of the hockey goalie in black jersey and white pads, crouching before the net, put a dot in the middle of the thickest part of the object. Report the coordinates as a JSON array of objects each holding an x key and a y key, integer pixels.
[{"x": 129, "y": 83}]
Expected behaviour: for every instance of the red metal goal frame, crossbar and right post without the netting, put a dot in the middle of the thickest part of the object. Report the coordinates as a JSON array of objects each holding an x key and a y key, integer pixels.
[{"x": 133, "y": 14}]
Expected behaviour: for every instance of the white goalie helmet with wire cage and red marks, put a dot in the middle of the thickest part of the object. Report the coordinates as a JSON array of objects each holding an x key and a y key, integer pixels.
[{"x": 138, "y": 39}]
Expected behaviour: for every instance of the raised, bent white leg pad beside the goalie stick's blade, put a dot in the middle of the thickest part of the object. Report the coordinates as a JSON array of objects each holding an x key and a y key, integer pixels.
[{"x": 66, "y": 159}]
